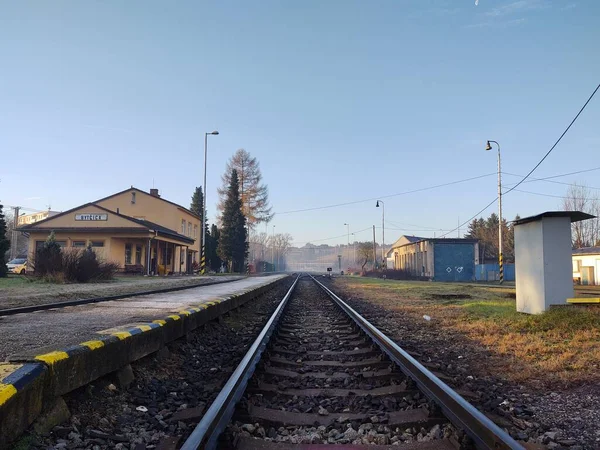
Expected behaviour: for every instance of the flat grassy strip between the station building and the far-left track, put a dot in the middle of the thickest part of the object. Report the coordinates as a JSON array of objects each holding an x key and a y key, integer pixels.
[{"x": 19, "y": 291}]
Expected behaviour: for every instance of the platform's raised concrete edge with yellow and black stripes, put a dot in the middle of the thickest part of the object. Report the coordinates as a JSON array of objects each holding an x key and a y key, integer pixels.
[{"x": 36, "y": 381}]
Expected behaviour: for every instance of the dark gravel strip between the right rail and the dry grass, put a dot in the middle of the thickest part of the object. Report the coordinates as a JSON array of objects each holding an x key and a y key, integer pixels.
[{"x": 555, "y": 418}]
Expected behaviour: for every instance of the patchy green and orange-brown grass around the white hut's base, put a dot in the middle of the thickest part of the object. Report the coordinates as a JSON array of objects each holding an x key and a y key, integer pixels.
[{"x": 558, "y": 347}]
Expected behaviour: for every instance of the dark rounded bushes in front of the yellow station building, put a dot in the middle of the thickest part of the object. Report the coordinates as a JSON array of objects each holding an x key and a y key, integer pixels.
[{"x": 71, "y": 265}]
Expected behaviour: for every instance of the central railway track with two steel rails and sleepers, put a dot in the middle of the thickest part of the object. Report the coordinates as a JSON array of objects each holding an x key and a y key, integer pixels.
[{"x": 321, "y": 376}]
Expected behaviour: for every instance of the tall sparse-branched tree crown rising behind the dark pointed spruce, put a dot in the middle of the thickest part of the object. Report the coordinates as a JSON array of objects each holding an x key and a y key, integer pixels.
[{"x": 253, "y": 192}]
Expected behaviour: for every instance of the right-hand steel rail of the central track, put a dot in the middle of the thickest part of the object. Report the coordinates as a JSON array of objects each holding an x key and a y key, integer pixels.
[{"x": 484, "y": 433}]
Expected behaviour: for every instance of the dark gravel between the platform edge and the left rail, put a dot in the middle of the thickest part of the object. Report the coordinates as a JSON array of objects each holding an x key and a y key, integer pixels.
[{"x": 170, "y": 391}]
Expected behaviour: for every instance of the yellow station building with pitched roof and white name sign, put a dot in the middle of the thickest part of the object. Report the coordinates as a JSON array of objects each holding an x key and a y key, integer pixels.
[{"x": 140, "y": 231}]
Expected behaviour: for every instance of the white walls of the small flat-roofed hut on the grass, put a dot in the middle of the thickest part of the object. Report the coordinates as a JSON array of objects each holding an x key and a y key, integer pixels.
[{"x": 543, "y": 264}]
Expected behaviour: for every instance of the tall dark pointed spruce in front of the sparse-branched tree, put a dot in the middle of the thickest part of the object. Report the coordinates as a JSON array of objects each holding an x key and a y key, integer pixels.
[{"x": 233, "y": 246}]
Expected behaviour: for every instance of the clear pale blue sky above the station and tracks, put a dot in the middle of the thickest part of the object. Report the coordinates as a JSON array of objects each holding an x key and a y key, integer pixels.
[{"x": 339, "y": 101}]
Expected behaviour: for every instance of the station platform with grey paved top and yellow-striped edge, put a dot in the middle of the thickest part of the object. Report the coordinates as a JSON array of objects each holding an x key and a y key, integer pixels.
[{"x": 52, "y": 352}]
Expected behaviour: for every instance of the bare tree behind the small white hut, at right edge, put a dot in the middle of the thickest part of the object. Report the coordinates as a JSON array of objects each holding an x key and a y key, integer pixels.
[{"x": 585, "y": 233}]
